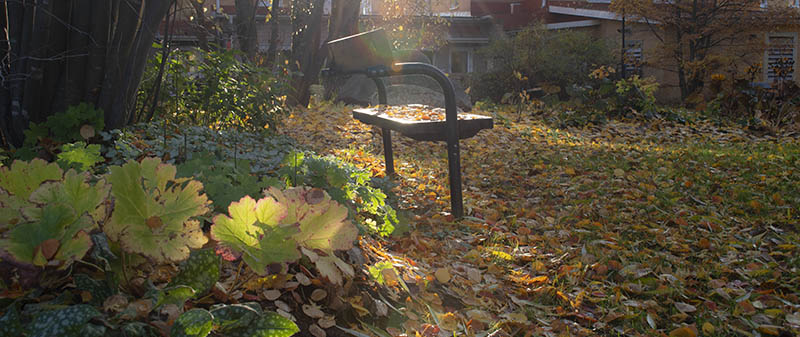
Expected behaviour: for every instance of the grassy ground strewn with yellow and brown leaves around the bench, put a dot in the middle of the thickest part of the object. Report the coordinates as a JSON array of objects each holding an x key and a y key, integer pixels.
[{"x": 623, "y": 229}]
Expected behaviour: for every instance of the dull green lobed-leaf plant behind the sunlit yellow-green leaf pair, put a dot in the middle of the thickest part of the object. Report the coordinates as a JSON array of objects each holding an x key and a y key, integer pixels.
[{"x": 225, "y": 181}]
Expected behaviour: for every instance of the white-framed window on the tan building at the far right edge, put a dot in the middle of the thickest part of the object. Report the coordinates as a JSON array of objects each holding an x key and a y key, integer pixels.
[{"x": 780, "y": 56}]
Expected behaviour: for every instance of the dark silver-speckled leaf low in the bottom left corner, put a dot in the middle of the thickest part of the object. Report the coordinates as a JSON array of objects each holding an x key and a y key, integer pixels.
[{"x": 66, "y": 322}]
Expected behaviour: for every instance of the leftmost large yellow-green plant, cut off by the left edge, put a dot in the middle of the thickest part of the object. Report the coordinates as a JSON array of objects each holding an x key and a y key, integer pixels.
[{"x": 47, "y": 216}]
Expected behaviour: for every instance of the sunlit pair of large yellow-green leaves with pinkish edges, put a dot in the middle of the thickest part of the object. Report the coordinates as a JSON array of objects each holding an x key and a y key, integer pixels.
[{"x": 275, "y": 228}]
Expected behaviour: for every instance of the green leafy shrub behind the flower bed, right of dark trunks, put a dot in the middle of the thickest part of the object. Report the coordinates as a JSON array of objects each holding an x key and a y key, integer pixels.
[{"x": 213, "y": 89}]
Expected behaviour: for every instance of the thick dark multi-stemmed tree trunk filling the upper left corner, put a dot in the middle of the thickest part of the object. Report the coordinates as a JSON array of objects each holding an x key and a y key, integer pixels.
[{"x": 63, "y": 52}]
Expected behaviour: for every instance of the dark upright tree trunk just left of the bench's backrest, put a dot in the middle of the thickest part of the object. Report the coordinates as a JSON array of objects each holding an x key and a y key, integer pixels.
[{"x": 306, "y": 38}]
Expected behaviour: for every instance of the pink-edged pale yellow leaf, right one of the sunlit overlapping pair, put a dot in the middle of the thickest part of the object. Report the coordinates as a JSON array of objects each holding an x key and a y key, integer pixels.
[{"x": 323, "y": 222}]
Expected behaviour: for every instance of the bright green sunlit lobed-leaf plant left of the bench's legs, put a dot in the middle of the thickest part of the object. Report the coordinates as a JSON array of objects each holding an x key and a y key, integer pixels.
[{"x": 346, "y": 184}]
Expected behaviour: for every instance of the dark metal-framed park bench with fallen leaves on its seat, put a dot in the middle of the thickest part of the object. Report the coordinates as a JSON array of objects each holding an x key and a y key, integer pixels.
[{"x": 369, "y": 53}]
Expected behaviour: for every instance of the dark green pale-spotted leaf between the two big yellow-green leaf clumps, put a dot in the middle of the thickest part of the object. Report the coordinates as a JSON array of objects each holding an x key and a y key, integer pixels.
[{"x": 200, "y": 271}]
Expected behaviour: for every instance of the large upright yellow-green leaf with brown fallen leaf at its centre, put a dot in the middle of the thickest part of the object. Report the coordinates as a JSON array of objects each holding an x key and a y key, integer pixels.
[{"x": 154, "y": 213}]
